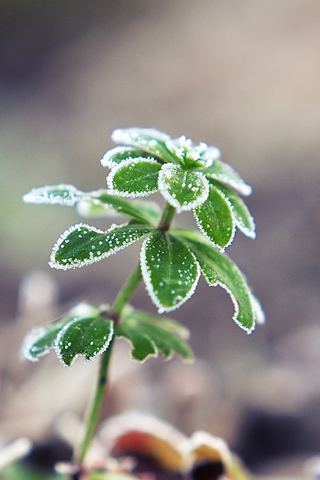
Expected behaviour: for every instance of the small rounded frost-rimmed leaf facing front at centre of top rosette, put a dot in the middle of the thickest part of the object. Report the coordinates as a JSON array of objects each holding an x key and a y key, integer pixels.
[{"x": 183, "y": 189}]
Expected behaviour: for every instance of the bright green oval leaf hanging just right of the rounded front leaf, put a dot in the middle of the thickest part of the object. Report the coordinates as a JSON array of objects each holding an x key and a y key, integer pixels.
[{"x": 215, "y": 219}]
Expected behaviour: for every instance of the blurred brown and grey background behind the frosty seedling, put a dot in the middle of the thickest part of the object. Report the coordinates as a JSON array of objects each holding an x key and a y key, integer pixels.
[{"x": 244, "y": 76}]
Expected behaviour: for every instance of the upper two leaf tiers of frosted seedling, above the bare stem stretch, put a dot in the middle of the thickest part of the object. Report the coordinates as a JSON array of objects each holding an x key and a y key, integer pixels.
[{"x": 189, "y": 177}]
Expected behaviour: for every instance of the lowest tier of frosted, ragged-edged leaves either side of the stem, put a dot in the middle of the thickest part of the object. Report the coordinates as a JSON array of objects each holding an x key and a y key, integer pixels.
[{"x": 87, "y": 331}]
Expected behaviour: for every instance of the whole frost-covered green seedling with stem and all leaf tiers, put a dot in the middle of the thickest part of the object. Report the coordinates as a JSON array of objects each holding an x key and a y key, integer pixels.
[{"x": 189, "y": 177}]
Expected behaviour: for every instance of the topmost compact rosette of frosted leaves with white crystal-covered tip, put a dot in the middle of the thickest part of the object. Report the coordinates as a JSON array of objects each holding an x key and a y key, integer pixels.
[{"x": 189, "y": 177}]
